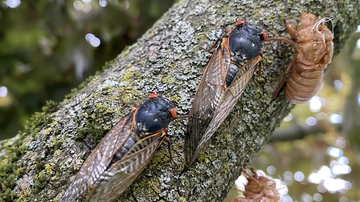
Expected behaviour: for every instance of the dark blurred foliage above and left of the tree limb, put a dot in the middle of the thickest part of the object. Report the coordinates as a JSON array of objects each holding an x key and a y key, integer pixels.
[{"x": 44, "y": 53}]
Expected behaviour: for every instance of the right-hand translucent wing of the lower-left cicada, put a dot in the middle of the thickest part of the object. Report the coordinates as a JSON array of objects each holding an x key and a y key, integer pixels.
[{"x": 123, "y": 173}]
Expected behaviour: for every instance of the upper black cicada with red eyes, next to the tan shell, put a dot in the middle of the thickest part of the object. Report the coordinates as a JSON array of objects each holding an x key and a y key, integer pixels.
[{"x": 228, "y": 72}]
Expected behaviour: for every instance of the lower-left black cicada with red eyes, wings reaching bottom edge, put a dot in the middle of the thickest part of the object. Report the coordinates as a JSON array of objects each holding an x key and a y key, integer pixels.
[{"x": 123, "y": 153}]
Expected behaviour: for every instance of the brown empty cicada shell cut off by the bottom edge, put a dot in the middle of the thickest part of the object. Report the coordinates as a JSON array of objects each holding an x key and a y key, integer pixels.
[{"x": 258, "y": 189}]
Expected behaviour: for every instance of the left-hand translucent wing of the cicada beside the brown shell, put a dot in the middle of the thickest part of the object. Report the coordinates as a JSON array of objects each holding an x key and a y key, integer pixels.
[{"x": 207, "y": 98}]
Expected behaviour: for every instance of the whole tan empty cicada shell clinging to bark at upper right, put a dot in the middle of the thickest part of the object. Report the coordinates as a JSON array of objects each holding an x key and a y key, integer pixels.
[{"x": 313, "y": 52}]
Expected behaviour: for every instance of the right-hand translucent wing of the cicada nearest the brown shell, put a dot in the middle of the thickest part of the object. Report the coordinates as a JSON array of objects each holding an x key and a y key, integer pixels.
[{"x": 231, "y": 97}]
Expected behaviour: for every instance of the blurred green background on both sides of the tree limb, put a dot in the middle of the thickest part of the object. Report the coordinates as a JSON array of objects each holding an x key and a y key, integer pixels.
[{"x": 49, "y": 47}]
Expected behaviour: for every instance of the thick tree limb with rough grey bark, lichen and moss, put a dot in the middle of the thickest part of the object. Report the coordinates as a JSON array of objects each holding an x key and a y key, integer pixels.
[{"x": 169, "y": 59}]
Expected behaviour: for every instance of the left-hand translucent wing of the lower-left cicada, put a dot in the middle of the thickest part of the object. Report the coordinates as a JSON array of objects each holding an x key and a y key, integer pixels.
[{"x": 99, "y": 159}]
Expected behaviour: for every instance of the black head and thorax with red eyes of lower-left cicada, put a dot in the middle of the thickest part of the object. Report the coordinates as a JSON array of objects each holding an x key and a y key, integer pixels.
[{"x": 154, "y": 115}]
